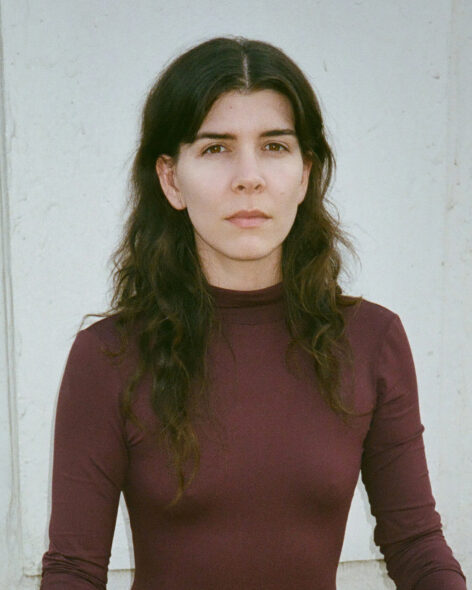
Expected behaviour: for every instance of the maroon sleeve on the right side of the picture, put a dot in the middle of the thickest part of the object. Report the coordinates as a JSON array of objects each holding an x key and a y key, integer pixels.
[{"x": 394, "y": 471}]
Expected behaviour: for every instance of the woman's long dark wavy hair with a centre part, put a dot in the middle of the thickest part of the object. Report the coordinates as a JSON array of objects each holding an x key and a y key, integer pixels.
[{"x": 161, "y": 296}]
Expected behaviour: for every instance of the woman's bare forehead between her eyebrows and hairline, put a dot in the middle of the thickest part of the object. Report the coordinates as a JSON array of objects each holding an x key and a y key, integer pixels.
[{"x": 257, "y": 109}]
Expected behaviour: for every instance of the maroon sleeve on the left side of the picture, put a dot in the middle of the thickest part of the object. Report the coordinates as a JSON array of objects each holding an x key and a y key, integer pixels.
[{"x": 89, "y": 466}]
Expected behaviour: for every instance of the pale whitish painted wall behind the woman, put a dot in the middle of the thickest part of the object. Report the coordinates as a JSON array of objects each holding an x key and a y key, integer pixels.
[{"x": 395, "y": 81}]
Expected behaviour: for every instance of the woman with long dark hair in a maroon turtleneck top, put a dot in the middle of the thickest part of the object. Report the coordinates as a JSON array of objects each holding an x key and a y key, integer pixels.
[{"x": 232, "y": 392}]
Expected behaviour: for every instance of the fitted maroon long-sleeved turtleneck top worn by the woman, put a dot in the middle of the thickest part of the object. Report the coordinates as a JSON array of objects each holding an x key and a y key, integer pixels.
[{"x": 268, "y": 507}]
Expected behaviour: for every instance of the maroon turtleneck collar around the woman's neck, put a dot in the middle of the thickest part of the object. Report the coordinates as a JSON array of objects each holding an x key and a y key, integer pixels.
[{"x": 250, "y": 307}]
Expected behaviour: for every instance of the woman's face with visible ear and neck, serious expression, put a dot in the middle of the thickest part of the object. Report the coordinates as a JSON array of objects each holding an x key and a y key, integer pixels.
[{"x": 245, "y": 157}]
